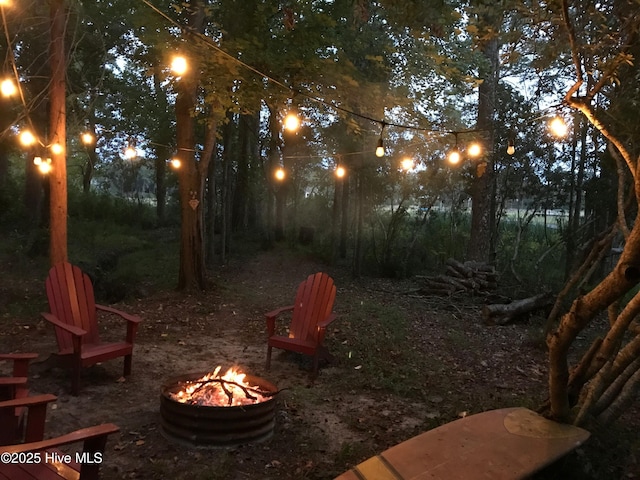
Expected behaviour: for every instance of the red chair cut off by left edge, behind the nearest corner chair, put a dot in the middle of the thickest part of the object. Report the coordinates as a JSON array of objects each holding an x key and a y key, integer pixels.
[{"x": 11, "y": 388}]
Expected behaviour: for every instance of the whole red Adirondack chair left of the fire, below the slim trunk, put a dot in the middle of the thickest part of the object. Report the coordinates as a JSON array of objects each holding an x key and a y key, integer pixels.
[{"x": 74, "y": 316}]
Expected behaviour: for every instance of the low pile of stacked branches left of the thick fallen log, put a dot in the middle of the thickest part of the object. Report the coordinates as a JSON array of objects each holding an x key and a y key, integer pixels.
[{"x": 470, "y": 277}]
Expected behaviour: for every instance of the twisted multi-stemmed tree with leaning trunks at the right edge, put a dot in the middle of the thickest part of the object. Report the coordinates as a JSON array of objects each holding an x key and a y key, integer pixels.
[{"x": 603, "y": 39}]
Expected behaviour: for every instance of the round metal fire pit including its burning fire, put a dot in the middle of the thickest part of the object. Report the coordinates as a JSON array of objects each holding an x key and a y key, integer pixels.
[{"x": 209, "y": 410}]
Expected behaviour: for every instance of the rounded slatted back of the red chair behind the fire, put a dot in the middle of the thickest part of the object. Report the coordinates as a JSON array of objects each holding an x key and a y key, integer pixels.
[{"x": 314, "y": 303}]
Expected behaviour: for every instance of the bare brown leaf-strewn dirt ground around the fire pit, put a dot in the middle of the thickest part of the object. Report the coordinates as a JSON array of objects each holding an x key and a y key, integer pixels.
[{"x": 322, "y": 428}]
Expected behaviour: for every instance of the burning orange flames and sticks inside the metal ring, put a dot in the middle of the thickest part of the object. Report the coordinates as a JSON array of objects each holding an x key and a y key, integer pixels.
[{"x": 228, "y": 390}]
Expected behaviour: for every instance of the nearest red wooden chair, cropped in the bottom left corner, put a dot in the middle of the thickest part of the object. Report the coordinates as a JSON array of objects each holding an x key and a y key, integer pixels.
[{"x": 43, "y": 465}]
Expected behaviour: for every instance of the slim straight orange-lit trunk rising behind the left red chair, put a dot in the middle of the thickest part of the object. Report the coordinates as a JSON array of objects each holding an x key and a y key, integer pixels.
[{"x": 57, "y": 135}]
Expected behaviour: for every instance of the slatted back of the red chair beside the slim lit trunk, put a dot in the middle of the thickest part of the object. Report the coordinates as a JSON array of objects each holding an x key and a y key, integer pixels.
[{"x": 72, "y": 301}]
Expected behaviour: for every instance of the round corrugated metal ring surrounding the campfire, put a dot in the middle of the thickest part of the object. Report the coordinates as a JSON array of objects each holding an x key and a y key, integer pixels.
[{"x": 216, "y": 426}]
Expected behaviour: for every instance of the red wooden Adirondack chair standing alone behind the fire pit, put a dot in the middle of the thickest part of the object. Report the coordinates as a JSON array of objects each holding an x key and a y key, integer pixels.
[{"x": 312, "y": 312}]
